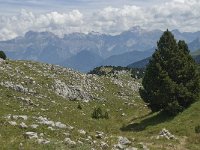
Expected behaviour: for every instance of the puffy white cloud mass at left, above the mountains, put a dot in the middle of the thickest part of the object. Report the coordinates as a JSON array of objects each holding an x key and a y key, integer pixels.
[{"x": 55, "y": 22}]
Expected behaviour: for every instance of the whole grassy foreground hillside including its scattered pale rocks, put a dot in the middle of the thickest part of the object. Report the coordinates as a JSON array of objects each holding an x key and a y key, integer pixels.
[{"x": 49, "y": 107}]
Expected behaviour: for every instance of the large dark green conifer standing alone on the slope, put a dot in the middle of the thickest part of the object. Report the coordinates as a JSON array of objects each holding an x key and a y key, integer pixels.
[{"x": 171, "y": 81}]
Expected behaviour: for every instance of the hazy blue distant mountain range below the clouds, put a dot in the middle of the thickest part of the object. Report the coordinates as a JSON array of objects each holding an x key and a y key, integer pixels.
[{"x": 84, "y": 51}]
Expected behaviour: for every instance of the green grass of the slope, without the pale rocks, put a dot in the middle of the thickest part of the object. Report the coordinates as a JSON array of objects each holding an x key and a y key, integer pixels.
[{"x": 138, "y": 122}]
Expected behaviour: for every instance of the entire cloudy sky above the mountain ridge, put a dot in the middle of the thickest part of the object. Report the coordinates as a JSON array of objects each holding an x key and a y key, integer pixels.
[{"x": 104, "y": 16}]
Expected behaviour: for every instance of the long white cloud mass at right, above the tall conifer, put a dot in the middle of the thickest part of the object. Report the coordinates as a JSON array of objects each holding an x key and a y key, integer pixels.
[{"x": 175, "y": 14}]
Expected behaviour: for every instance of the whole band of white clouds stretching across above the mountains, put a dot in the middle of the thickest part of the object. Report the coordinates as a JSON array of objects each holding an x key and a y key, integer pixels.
[{"x": 173, "y": 14}]
